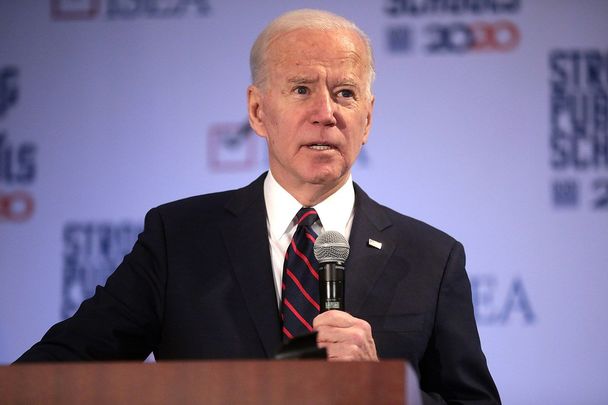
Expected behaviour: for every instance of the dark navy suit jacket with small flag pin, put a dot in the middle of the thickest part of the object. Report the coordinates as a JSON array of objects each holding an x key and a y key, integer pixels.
[{"x": 198, "y": 284}]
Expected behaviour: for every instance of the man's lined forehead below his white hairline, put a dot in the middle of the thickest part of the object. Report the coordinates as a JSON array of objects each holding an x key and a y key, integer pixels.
[{"x": 301, "y": 49}]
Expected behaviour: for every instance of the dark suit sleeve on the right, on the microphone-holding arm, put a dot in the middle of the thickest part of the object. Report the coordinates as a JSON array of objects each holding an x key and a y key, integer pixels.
[{"x": 454, "y": 369}]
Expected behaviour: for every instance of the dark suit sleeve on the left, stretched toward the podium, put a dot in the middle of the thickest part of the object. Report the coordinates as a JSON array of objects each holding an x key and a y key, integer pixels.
[{"x": 122, "y": 320}]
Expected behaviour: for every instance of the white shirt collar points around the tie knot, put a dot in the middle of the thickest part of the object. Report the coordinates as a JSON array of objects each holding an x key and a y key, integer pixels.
[{"x": 281, "y": 207}]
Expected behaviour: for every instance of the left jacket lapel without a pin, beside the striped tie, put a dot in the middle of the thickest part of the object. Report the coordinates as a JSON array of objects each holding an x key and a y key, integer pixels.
[{"x": 246, "y": 236}]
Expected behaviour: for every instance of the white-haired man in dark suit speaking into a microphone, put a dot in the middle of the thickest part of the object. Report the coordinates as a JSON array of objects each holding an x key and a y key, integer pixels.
[{"x": 208, "y": 277}]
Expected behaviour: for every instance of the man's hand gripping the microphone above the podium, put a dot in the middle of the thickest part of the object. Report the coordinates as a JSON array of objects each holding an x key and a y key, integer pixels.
[{"x": 345, "y": 337}]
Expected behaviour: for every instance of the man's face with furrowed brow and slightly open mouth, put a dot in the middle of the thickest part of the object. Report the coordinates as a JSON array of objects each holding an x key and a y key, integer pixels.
[{"x": 314, "y": 107}]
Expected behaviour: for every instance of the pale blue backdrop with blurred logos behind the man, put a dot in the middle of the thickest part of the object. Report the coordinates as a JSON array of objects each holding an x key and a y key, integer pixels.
[{"x": 490, "y": 123}]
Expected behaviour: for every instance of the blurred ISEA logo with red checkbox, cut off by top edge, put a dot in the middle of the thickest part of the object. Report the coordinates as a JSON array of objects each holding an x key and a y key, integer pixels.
[{"x": 127, "y": 9}]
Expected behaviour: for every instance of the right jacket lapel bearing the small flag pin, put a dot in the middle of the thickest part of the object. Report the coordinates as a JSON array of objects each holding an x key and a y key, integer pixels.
[{"x": 365, "y": 262}]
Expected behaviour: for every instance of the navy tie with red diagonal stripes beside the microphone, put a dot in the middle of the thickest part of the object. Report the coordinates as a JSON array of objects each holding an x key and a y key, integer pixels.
[{"x": 300, "y": 303}]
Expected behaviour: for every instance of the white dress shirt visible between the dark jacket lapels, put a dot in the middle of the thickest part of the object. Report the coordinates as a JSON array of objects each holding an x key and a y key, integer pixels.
[{"x": 336, "y": 213}]
